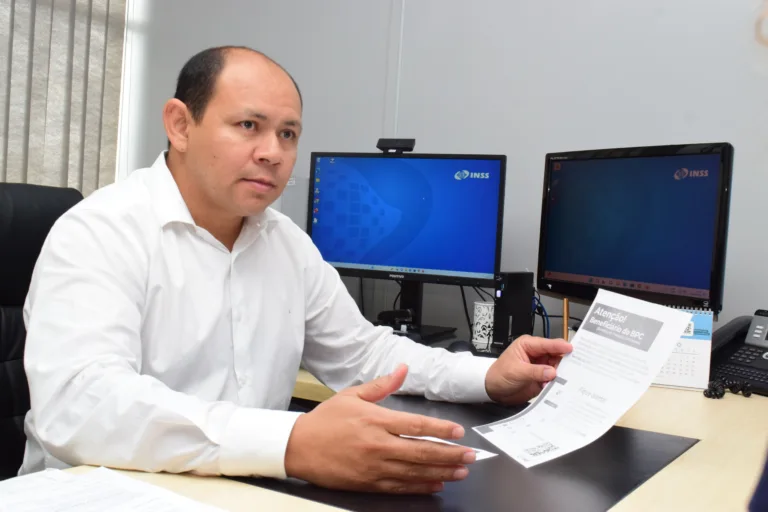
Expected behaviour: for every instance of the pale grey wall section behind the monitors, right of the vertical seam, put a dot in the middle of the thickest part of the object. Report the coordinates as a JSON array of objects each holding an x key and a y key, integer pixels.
[{"x": 527, "y": 78}]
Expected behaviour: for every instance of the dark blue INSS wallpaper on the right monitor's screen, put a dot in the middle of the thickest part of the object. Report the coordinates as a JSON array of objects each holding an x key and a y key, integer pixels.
[{"x": 640, "y": 219}]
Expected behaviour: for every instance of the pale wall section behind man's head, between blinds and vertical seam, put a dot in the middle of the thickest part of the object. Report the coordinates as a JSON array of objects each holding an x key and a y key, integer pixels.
[{"x": 341, "y": 65}]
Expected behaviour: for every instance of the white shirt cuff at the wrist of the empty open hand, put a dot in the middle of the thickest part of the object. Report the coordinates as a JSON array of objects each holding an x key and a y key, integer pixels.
[{"x": 255, "y": 441}]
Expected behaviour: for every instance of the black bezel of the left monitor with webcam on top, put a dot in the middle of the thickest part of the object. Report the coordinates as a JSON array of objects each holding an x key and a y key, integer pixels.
[{"x": 425, "y": 278}]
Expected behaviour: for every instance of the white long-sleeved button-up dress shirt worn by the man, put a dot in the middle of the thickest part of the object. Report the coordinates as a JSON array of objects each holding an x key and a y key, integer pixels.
[{"x": 151, "y": 346}]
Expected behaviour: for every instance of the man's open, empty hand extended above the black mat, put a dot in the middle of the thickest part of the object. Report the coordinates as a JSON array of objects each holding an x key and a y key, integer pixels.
[{"x": 348, "y": 442}]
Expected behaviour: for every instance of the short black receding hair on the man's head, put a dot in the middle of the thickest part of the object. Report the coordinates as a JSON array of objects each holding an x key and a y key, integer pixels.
[{"x": 197, "y": 79}]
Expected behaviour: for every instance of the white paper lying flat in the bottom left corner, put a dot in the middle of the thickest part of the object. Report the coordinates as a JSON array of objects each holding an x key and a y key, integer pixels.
[{"x": 99, "y": 490}]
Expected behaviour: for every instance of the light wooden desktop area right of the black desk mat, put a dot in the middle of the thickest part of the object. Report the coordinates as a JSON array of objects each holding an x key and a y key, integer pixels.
[{"x": 720, "y": 472}]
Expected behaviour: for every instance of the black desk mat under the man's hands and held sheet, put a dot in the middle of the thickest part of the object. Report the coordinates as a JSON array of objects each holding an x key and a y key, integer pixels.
[{"x": 591, "y": 479}]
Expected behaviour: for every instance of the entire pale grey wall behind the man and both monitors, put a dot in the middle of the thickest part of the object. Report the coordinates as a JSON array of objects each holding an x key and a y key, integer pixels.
[{"x": 514, "y": 77}]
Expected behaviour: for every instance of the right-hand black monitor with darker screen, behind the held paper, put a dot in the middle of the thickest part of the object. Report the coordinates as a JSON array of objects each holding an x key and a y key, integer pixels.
[{"x": 650, "y": 222}]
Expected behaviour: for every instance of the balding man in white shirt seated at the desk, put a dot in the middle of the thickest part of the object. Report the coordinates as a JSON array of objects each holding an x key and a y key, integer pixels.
[{"x": 169, "y": 313}]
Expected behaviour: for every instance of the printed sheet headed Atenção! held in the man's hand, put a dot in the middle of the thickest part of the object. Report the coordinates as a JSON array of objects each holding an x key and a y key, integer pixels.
[{"x": 619, "y": 349}]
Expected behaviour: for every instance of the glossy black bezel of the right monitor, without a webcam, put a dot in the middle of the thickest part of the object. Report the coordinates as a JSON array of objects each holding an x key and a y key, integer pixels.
[{"x": 587, "y": 292}]
